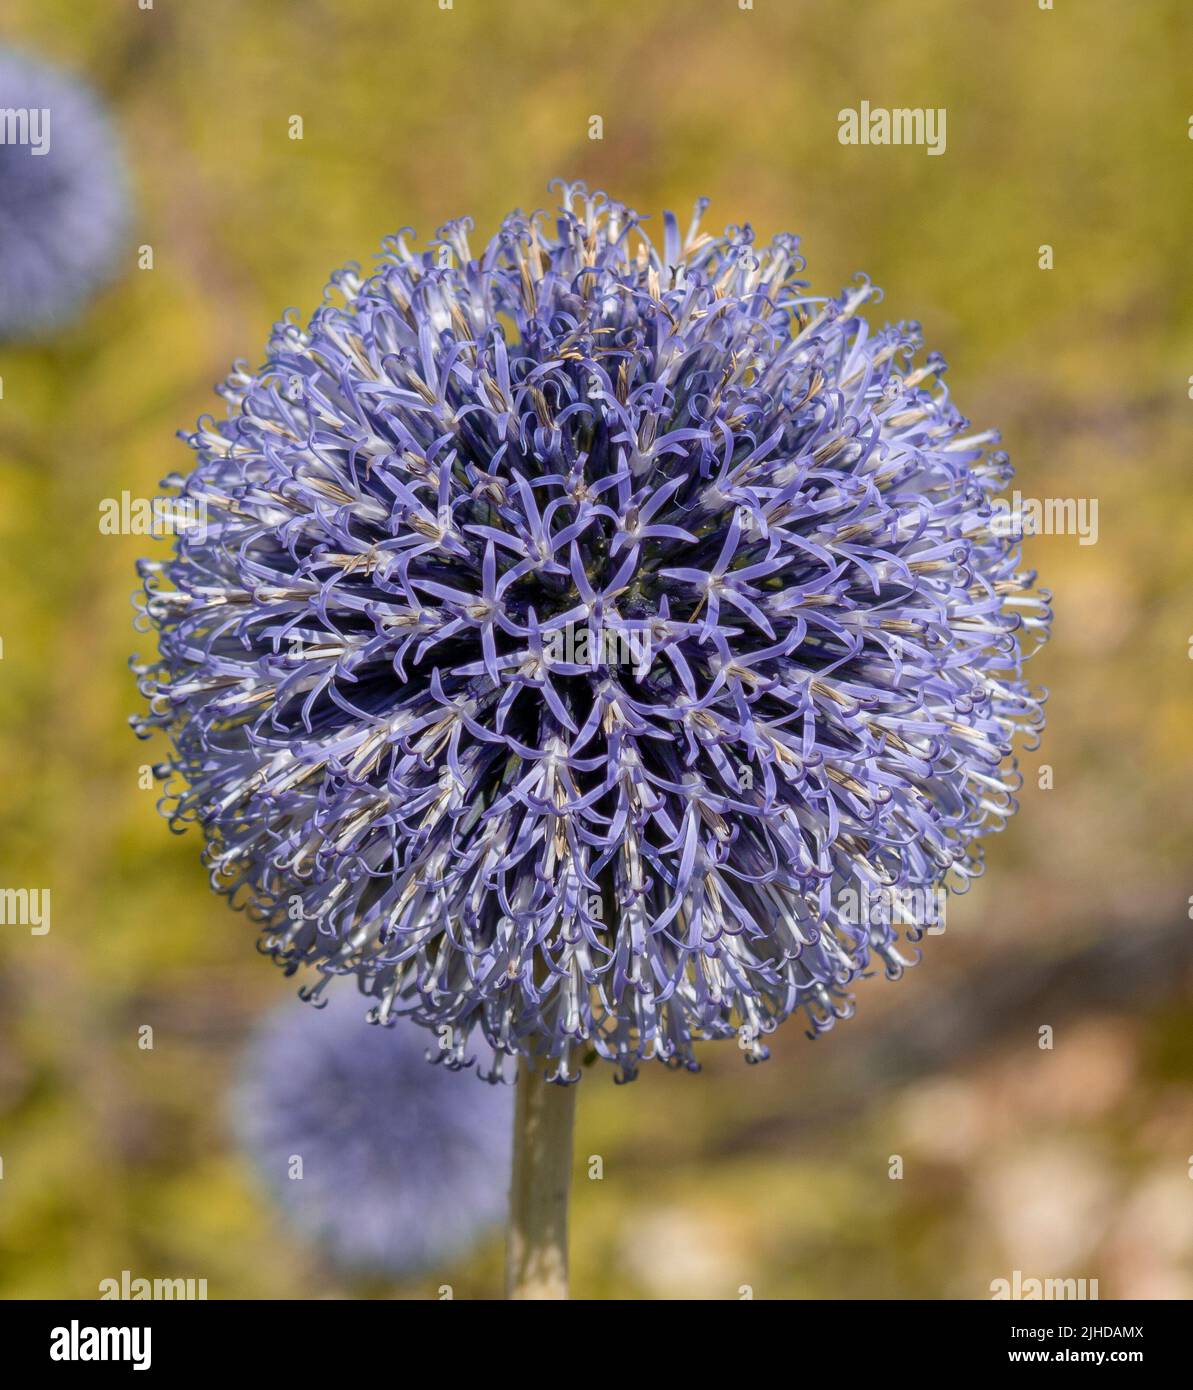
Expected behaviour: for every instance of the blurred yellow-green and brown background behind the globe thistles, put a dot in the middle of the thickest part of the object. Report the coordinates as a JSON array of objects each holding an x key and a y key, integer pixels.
[{"x": 1067, "y": 127}]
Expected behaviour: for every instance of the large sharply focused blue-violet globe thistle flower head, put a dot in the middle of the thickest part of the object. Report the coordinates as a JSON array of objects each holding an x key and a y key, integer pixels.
[{"x": 583, "y": 629}]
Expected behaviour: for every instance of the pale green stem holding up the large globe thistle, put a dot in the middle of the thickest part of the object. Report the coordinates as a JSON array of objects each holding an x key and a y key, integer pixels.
[{"x": 537, "y": 1250}]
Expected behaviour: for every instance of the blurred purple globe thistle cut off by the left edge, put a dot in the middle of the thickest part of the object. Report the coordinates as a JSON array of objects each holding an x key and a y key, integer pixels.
[{"x": 63, "y": 195}]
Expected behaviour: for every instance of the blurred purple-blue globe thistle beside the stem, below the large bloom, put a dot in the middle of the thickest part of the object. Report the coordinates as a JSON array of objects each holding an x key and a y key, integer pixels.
[{"x": 404, "y": 1166}]
